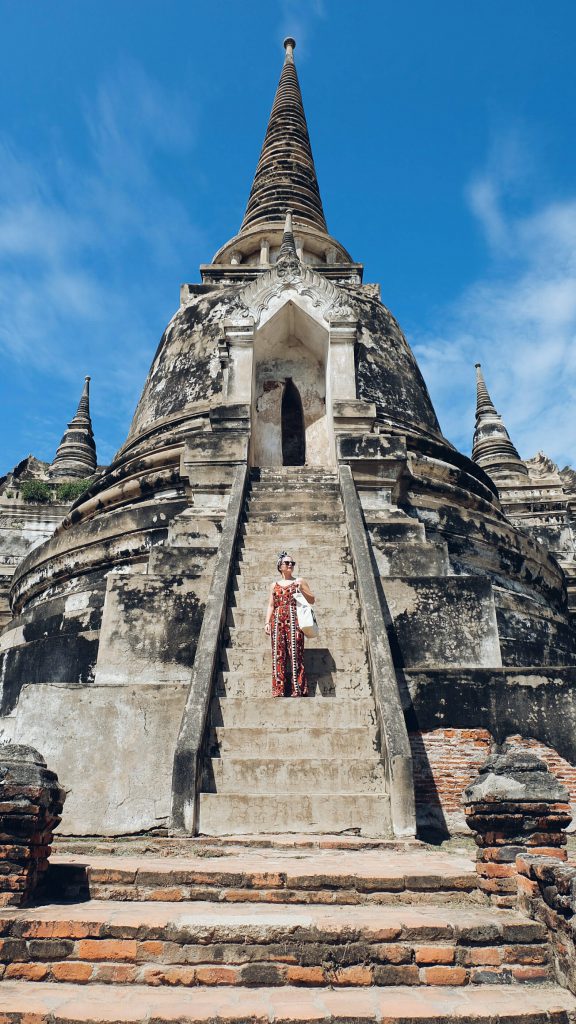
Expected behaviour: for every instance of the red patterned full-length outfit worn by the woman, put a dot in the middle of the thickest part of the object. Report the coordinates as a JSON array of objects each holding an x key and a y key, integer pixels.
[{"x": 287, "y": 645}]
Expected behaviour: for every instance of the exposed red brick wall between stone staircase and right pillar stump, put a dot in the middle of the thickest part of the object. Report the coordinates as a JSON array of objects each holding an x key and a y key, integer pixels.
[{"x": 445, "y": 762}]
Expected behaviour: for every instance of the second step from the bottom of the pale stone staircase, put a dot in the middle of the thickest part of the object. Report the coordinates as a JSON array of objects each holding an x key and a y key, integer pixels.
[{"x": 270, "y": 776}]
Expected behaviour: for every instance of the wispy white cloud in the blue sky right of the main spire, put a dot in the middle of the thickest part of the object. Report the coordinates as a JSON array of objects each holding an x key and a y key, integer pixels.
[{"x": 519, "y": 321}]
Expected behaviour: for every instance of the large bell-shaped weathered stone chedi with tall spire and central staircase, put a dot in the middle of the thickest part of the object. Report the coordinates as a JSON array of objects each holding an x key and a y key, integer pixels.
[{"x": 284, "y": 408}]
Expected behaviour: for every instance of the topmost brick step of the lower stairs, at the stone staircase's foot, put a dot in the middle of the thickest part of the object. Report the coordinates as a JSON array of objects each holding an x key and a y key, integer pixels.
[{"x": 297, "y": 870}]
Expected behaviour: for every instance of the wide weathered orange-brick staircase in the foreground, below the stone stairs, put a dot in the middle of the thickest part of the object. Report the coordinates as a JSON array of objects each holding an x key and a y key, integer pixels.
[{"x": 294, "y": 931}]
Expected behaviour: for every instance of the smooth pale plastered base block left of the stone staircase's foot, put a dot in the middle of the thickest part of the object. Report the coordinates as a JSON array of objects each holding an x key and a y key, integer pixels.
[{"x": 120, "y": 782}]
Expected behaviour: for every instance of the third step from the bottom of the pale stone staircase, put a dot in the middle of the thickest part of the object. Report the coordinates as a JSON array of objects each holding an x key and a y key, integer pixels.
[{"x": 293, "y": 743}]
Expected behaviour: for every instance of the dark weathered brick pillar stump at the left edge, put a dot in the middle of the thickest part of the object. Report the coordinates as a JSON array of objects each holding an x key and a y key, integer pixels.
[{"x": 31, "y": 806}]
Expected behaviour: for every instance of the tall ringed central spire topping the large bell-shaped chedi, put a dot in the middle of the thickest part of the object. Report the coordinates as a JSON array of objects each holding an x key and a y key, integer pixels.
[{"x": 286, "y": 176}]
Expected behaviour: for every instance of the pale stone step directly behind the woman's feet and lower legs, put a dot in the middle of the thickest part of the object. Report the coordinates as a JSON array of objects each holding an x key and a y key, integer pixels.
[{"x": 325, "y": 687}]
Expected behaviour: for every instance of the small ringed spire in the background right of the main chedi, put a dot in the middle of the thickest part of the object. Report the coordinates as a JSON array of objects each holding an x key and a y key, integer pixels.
[{"x": 492, "y": 448}]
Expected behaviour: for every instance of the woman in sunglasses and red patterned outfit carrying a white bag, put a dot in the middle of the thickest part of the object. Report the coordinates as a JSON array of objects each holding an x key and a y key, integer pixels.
[{"x": 282, "y": 626}]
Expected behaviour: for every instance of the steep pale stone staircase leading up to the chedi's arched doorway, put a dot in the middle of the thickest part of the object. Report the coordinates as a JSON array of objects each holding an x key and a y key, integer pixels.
[{"x": 282, "y": 765}]
